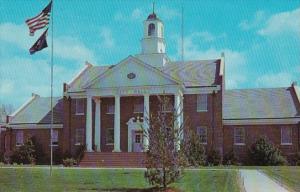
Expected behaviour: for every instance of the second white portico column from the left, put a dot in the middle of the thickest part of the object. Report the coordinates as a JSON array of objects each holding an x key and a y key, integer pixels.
[{"x": 98, "y": 125}]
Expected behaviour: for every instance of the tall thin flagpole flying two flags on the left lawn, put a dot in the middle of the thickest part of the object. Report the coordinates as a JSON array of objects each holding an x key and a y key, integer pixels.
[{"x": 51, "y": 102}]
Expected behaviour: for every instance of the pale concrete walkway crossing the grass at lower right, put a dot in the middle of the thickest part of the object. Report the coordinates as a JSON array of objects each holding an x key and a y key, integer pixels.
[{"x": 256, "y": 181}]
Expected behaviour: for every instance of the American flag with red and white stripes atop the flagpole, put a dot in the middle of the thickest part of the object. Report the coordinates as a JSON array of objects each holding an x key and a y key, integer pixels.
[{"x": 40, "y": 21}]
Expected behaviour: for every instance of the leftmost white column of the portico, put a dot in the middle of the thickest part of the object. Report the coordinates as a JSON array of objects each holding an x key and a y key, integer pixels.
[{"x": 88, "y": 128}]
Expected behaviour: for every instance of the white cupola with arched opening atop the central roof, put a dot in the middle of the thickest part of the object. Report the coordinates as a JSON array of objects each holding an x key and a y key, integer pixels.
[{"x": 153, "y": 42}]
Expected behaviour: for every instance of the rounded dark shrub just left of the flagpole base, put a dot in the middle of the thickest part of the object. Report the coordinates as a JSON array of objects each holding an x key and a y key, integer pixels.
[{"x": 24, "y": 154}]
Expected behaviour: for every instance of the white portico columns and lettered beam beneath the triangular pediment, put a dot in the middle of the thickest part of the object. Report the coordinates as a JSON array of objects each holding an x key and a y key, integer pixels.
[{"x": 144, "y": 92}]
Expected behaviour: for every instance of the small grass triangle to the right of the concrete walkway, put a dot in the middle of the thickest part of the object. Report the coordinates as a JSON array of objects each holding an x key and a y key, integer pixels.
[{"x": 289, "y": 176}]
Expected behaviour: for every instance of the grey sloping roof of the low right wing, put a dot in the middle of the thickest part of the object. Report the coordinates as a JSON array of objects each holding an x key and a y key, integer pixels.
[{"x": 268, "y": 103}]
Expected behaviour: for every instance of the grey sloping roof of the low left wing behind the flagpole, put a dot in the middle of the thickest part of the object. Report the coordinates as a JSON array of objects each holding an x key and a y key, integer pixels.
[{"x": 38, "y": 111}]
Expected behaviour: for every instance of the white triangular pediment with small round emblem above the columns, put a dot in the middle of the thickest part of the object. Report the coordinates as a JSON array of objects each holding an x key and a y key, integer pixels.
[{"x": 131, "y": 72}]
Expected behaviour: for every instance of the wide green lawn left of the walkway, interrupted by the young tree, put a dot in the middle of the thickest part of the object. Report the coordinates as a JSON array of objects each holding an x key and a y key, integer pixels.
[{"x": 38, "y": 179}]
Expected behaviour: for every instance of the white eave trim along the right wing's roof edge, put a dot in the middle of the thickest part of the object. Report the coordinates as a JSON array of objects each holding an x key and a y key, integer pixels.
[{"x": 261, "y": 121}]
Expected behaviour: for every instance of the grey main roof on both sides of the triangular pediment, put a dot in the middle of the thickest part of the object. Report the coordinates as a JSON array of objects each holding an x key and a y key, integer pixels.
[{"x": 191, "y": 73}]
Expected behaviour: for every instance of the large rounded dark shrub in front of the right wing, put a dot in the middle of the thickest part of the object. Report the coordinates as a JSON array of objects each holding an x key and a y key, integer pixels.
[{"x": 263, "y": 153}]
